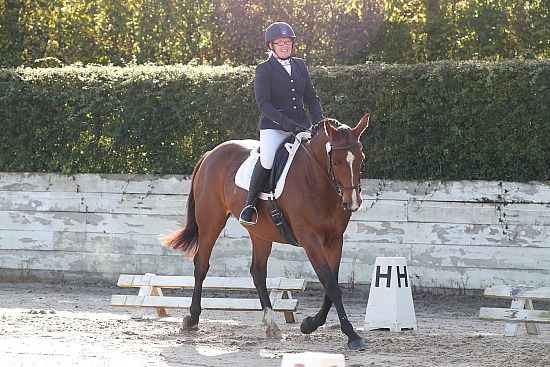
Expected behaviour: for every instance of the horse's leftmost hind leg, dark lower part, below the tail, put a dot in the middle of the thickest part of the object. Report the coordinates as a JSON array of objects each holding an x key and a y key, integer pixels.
[{"x": 207, "y": 239}]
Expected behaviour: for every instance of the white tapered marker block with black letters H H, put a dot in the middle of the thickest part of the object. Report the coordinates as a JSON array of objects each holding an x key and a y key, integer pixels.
[{"x": 390, "y": 305}]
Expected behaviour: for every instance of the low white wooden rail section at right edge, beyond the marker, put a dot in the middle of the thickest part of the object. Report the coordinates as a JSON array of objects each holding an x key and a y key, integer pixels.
[{"x": 521, "y": 310}]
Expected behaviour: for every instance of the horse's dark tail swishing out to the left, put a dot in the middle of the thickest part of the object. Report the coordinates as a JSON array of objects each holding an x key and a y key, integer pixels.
[{"x": 187, "y": 238}]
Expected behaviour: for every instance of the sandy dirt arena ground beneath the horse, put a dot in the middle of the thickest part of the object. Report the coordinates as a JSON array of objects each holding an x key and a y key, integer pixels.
[{"x": 73, "y": 325}]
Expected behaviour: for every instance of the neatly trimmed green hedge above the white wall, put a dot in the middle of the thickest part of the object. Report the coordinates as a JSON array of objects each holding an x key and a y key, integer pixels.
[{"x": 445, "y": 120}]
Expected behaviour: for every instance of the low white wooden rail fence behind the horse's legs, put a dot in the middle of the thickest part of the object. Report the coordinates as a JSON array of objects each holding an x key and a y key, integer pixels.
[{"x": 150, "y": 294}]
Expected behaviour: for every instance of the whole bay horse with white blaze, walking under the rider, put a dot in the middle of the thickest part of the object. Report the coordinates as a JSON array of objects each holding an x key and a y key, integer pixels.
[{"x": 322, "y": 190}]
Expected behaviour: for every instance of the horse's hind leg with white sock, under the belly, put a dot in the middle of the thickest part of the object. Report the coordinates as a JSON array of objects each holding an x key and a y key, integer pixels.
[{"x": 261, "y": 249}]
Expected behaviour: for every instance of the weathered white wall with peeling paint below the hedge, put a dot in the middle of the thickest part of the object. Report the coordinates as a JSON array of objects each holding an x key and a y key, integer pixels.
[{"x": 90, "y": 227}]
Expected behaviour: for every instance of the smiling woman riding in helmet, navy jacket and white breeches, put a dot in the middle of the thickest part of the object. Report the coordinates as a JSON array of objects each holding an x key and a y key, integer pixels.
[{"x": 281, "y": 86}]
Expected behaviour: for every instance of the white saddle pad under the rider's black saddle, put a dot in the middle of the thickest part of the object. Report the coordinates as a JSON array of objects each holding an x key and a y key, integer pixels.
[{"x": 244, "y": 173}]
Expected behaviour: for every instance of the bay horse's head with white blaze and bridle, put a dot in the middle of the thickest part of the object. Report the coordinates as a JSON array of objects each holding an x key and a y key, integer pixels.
[{"x": 344, "y": 157}]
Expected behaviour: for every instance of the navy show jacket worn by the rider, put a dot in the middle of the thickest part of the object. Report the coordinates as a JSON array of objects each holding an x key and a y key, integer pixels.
[{"x": 281, "y": 96}]
